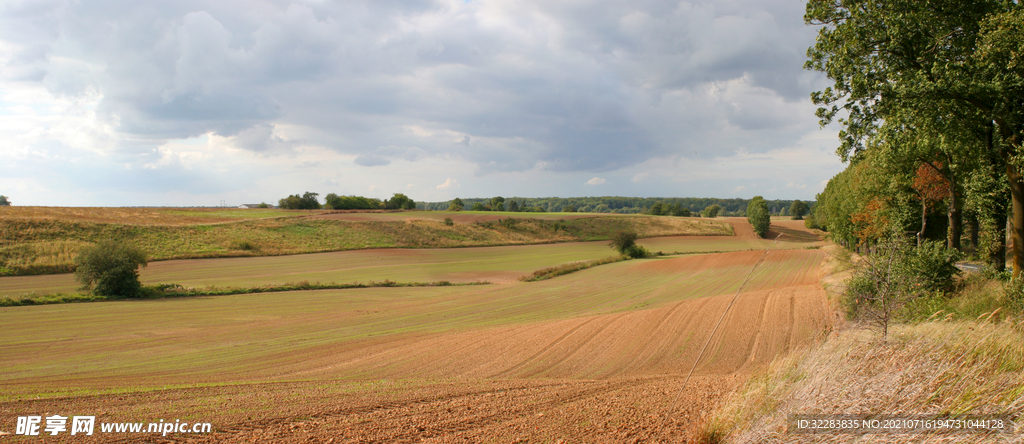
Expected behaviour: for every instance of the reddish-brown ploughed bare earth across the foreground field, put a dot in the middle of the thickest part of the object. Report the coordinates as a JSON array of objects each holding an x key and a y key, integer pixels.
[{"x": 611, "y": 378}]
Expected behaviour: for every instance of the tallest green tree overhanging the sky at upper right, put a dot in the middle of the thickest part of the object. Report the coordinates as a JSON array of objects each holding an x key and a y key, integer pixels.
[{"x": 915, "y": 62}]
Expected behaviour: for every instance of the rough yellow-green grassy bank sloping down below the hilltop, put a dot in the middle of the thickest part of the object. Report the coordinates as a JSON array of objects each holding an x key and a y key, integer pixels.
[{"x": 45, "y": 246}]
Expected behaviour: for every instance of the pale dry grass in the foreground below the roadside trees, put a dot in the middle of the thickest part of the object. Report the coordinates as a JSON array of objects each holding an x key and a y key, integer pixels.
[{"x": 938, "y": 368}]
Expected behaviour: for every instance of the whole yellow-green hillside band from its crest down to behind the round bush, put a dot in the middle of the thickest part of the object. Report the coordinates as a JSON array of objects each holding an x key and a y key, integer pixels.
[{"x": 46, "y": 241}]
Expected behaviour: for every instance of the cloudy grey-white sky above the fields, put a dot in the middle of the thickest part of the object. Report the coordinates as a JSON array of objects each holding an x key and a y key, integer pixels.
[{"x": 210, "y": 103}]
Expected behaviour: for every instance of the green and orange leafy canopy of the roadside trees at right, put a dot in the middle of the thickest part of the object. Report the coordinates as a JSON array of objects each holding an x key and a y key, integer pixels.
[{"x": 933, "y": 84}]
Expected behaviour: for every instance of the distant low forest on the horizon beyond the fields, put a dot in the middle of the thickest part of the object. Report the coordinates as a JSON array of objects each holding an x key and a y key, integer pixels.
[{"x": 731, "y": 207}]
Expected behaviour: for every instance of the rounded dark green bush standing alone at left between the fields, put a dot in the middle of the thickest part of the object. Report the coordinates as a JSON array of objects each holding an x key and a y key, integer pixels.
[{"x": 111, "y": 269}]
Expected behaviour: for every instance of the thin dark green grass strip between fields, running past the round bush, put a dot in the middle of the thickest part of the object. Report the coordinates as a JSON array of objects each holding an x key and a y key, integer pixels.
[{"x": 175, "y": 291}]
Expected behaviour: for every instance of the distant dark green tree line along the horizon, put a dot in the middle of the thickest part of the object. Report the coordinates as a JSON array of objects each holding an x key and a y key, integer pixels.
[{"x": 655, "y": 206}]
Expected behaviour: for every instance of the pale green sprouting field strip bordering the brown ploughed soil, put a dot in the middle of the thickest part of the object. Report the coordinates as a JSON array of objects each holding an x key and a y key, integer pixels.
[{"x": 148, "y": 344}]
